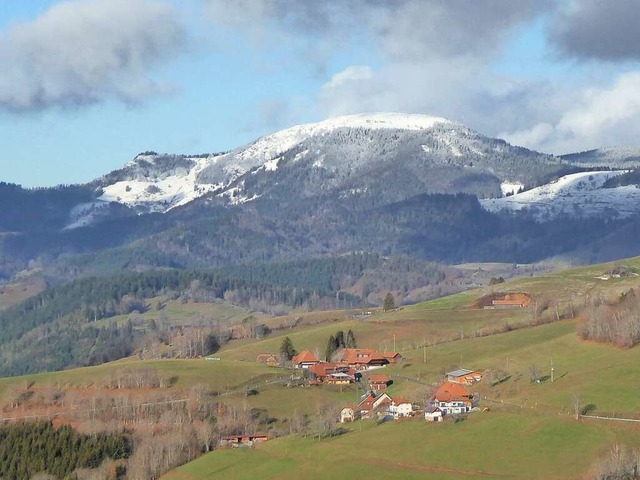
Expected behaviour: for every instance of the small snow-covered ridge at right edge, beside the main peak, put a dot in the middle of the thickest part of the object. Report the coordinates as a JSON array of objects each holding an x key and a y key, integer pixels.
[{"x": 577, "y": 195}]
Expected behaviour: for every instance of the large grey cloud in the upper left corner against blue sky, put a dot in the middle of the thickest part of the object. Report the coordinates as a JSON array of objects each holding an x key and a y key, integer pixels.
[{"x": 84, "y": 52}]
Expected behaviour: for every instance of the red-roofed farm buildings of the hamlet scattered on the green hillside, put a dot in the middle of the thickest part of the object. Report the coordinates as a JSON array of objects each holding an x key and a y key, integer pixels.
[{"x": 345, "y": 366}]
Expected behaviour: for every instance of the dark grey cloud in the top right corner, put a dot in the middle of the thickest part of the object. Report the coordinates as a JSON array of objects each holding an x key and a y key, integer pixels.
[{"x": 599, "y": 29}]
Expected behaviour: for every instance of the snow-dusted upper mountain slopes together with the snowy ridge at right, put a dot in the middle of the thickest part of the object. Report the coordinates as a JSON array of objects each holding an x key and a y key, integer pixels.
[{"x": 375, "y": 158}]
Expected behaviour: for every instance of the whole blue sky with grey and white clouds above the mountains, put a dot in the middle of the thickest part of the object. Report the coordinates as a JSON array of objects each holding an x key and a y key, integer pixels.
[{"x": 85, "y": 85}]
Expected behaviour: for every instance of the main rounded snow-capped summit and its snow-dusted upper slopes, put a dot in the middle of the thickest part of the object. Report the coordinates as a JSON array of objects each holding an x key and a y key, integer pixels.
[{"x": 355, "y": 155}]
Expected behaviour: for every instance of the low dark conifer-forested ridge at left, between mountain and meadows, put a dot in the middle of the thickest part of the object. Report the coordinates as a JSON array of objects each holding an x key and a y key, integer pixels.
[{"x": 63, "y": 326}]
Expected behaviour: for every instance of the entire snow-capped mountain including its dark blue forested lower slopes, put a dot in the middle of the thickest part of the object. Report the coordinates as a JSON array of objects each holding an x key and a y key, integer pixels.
[{"x": 354, "y": 183}]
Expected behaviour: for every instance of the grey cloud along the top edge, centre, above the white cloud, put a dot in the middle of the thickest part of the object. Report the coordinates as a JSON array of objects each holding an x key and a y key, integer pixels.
[{"x": 401, "y": 29}]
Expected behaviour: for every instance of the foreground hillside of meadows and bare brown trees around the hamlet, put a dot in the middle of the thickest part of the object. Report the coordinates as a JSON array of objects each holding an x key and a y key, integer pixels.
[{"x": 506, "y": 345}]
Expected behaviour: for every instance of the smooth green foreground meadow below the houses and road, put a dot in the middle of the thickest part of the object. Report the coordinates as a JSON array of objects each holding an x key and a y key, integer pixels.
[{"x": 486, "y": 445}]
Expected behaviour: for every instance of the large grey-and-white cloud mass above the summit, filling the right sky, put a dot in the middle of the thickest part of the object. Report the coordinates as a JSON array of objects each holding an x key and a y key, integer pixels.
[{"x": 437, "y": 58}]
